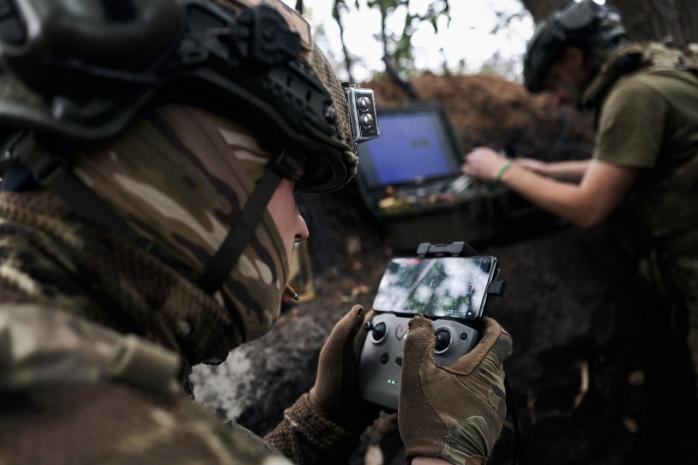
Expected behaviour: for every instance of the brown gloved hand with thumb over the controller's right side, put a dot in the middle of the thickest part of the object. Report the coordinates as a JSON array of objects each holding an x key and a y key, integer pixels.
[{"x": 454, "y": 413}]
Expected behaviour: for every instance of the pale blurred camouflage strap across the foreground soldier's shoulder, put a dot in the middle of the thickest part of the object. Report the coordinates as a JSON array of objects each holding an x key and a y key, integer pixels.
[{"x": 43, "y": 348}]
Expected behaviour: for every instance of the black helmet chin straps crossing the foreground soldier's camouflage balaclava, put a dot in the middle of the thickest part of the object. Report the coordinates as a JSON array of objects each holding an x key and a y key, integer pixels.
[{"x": 54, "y": 174}]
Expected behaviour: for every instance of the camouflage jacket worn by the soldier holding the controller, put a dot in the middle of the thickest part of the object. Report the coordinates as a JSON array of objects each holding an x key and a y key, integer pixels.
[{"x": 81, "y": 384}]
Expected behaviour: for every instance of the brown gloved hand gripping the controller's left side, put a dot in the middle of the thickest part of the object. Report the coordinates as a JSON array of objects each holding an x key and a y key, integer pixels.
[{"x": 335, "y": 393}]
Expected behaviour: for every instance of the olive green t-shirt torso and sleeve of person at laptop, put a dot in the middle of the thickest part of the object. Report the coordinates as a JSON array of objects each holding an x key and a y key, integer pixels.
[{"x": 649, "y": 120}]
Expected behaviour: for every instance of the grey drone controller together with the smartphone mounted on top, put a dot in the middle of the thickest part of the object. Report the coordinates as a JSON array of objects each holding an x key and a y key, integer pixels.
[{"x": 441, "y": 284}]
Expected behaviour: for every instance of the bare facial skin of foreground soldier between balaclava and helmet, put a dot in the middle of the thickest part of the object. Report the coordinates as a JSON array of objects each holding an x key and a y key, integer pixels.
[{"x": 287, "y": 217}]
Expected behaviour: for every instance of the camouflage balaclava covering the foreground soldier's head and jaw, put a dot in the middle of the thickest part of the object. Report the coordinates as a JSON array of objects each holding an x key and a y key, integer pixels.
[{"x": 180, "y": 177}]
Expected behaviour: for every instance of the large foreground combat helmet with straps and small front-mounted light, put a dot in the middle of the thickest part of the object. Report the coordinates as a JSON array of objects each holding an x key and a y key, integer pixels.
[{"x": 80, "y": 71}]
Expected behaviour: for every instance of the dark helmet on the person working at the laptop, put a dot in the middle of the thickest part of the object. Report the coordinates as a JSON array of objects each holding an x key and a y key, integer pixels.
[{"x": 585, "y": 25}]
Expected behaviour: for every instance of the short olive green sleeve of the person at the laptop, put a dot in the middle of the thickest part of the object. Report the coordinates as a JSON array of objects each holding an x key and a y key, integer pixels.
[{"x": 631, "y": 126}]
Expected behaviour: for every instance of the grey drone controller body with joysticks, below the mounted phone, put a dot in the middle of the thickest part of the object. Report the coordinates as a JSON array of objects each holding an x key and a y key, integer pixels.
[{"x": 380, "y": 366}]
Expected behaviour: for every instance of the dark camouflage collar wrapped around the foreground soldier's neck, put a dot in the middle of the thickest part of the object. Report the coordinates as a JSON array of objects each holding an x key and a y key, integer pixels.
[{"x": 51, "y": 258}]
